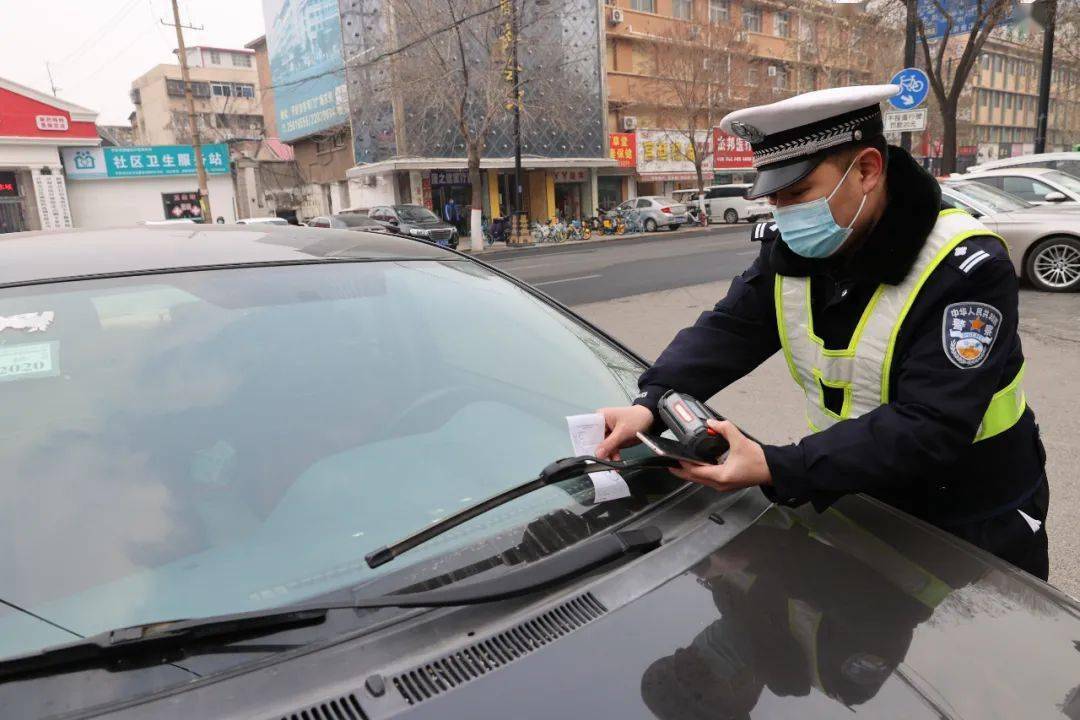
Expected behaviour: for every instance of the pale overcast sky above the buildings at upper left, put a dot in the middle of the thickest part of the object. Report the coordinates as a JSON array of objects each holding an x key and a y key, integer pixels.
[{"x": 97, "y": 48}]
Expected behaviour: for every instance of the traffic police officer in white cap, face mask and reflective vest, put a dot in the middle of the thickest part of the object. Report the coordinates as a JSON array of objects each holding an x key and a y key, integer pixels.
[{"x": 898, "y": 319}]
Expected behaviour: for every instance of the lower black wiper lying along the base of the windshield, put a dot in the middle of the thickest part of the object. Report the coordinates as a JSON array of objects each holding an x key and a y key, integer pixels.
[{"x": 152, "y": 641}]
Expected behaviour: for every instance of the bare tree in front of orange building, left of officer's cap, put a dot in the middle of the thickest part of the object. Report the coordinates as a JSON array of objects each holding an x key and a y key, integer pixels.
[{"x": 696, "y": 62}]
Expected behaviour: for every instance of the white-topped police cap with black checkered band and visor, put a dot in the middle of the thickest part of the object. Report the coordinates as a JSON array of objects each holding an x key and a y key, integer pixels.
[{"x": 791, "y": 138}]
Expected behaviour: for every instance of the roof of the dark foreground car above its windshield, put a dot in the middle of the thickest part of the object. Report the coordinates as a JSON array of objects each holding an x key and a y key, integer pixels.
[{"x": 39, "y": 256}]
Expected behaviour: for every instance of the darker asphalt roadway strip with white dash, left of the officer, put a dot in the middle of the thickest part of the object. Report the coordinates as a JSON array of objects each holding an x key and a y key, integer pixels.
[{"x": 593, "y": 273}]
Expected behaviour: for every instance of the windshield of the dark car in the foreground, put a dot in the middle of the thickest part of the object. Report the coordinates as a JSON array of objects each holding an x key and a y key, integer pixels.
[{"x": 193, "y": 444}]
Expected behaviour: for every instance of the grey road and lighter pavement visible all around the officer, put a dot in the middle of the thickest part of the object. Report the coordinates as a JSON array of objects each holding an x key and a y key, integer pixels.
[{"x": 644, "y": 291}]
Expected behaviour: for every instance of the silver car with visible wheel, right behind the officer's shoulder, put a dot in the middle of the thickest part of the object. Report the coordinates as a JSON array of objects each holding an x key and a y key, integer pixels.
[{"x": 1044, "y": 242}]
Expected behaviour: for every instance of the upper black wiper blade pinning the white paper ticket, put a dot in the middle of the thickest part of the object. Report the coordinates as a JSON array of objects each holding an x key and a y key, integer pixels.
[{"x": 557, "y": 472}]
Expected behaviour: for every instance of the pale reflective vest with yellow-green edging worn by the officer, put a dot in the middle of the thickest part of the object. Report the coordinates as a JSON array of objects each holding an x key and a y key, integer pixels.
[{"x": 862, "y": 370}]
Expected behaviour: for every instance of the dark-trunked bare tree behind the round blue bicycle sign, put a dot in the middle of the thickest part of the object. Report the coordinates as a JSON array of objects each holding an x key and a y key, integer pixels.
[{"x": 950, "y": 64}]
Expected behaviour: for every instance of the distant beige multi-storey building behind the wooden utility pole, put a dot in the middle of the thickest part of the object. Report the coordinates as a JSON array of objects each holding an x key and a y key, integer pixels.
[{"x": 227, "y": 97}]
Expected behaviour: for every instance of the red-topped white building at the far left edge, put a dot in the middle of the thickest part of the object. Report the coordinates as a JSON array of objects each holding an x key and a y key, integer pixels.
[{"x": 33, "y": 191}]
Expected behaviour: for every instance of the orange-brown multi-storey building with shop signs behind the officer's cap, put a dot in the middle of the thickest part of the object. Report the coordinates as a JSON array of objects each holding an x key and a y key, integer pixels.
[{"x": 748, "y": 52}]
